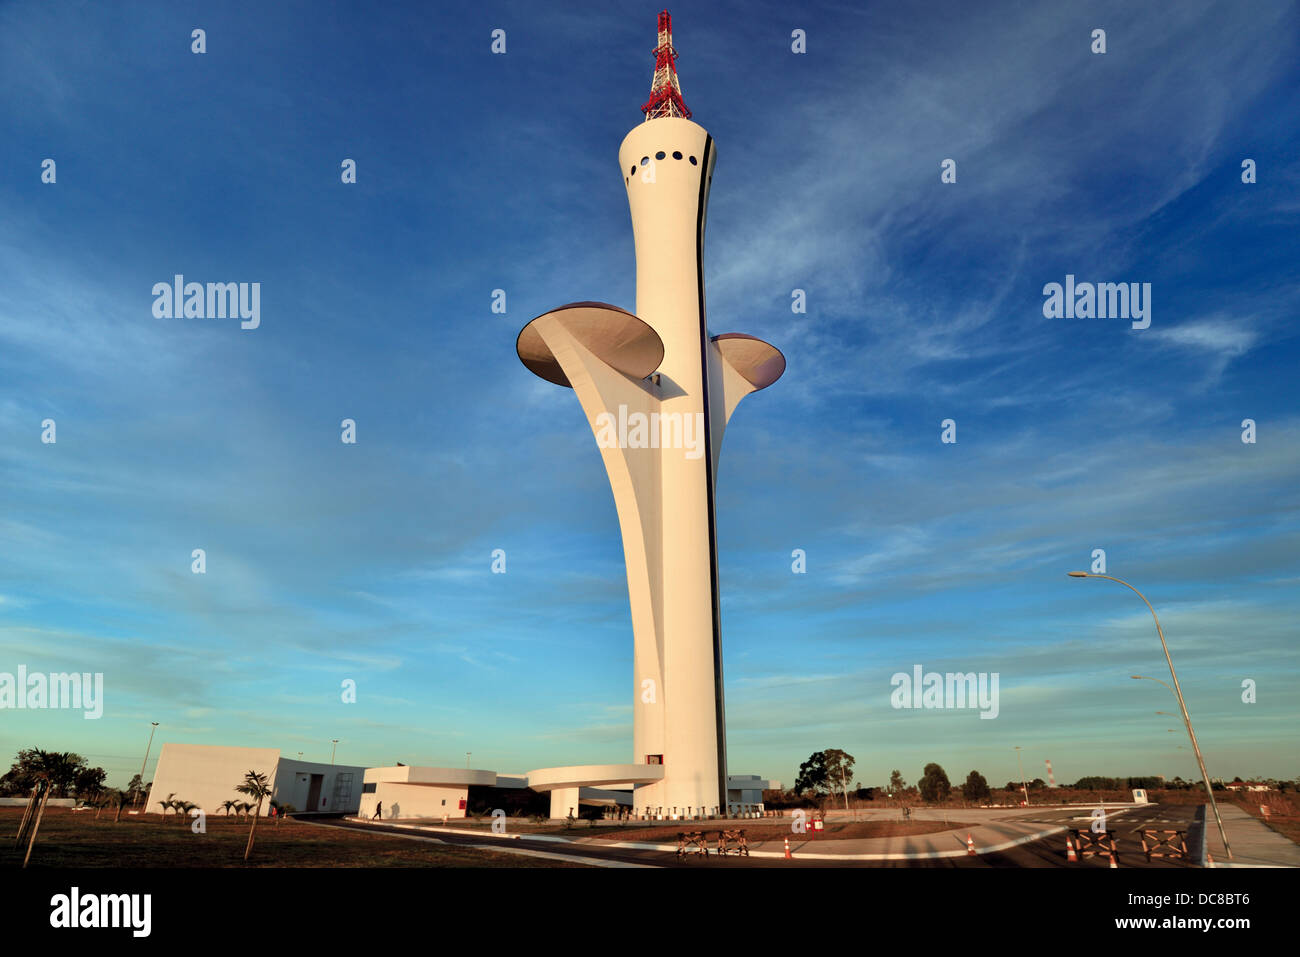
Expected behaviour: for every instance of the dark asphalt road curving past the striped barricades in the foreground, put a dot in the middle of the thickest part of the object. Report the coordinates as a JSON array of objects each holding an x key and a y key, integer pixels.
[{"x": 1048, "y": 852}]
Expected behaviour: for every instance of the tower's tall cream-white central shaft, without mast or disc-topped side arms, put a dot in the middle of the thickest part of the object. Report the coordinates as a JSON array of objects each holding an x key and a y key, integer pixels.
[{"x": 669, "y": 202}]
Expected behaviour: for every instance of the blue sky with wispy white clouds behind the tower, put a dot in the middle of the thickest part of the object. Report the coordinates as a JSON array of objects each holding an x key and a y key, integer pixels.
[{"x": 479, "y": 172}]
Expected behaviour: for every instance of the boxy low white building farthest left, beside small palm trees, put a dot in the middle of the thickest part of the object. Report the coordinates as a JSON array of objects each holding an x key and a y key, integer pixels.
[{"x": 210, "y": 774}]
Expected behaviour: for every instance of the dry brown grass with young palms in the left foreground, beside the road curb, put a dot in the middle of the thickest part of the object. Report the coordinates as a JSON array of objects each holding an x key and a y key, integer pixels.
[{"x": 80, "y": 841}]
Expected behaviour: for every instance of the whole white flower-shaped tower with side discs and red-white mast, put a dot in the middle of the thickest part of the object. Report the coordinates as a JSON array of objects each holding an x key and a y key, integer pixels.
[{"x": 658, "y": 392}]
